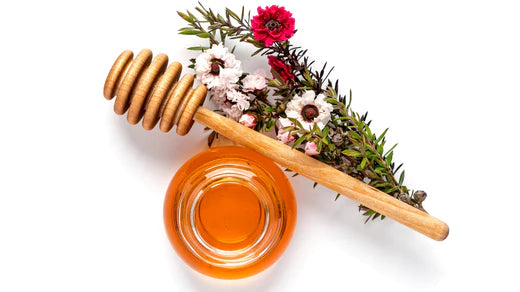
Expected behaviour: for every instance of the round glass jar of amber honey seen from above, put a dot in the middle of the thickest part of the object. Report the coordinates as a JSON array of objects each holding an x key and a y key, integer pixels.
[{"x": 229, "y": 212}]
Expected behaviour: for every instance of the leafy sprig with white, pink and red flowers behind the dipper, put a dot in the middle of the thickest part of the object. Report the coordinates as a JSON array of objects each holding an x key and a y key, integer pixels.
[{"x": 300, "y": 104}]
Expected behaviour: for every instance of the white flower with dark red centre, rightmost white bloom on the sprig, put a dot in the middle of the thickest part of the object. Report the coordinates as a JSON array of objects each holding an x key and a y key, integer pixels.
[{"x": 309, "y": 109}]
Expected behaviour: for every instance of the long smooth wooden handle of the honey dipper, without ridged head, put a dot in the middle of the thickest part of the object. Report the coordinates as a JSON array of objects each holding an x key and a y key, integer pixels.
[{"x": 325, "y": 175}]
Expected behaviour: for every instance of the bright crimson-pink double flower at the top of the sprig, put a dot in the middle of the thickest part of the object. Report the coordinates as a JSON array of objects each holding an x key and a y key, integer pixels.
[{"x": 272, "y": 24}]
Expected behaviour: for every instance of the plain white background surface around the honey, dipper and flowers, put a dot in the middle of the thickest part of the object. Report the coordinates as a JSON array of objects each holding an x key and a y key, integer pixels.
[{"x": 81, "y": 190}]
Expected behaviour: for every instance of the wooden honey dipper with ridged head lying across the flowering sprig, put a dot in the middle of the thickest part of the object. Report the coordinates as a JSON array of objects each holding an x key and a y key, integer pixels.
[{"x": 151, "y": 91}]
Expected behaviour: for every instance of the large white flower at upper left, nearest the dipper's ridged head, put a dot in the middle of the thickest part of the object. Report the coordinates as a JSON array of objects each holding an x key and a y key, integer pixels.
[{"x": 217, "y": 68}]
